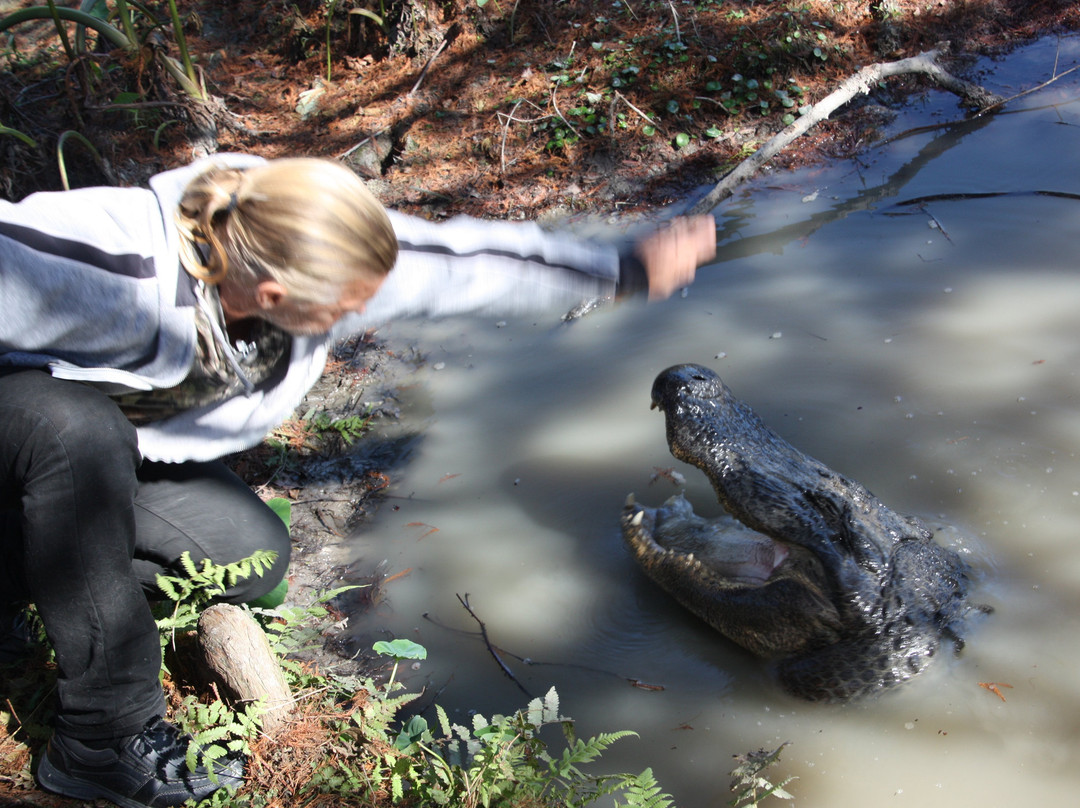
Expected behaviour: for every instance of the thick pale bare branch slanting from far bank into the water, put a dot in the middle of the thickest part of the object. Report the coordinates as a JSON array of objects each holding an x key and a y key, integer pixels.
[{"x": 861, "y": 84}]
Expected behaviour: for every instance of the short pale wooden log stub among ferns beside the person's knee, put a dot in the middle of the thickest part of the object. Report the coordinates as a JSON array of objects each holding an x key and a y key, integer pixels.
[{"x": 238, "y": 656}]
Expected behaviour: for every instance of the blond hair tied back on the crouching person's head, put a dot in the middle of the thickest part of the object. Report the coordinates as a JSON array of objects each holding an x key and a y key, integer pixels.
[{"x": 306, "y": 223}]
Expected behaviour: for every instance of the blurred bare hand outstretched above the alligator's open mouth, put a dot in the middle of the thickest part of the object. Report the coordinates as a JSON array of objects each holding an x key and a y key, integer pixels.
[{"x": 672, "y": 255}]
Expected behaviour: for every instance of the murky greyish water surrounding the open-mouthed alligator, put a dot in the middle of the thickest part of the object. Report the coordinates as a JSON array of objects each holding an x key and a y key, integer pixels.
[{"x": 930, "y": 352}]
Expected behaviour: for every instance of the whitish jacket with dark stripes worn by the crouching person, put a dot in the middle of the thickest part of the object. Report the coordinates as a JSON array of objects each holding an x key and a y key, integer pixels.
[{"x": 92, "y": 290}]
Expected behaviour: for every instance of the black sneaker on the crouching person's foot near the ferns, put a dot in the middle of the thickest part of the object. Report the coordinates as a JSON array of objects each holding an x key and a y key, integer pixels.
[{"x": 148, "y": 770}]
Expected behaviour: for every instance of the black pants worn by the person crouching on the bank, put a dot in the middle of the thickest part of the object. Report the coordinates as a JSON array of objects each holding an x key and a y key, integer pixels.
[{"x": 87, "y": 527}]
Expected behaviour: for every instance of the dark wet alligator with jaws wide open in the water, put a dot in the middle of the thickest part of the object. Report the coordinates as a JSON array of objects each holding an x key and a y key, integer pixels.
[{"x": 808, "y": 570}]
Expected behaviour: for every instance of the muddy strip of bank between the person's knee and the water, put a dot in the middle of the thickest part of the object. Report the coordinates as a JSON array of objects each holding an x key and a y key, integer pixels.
[{"x": 332, "y": 461}]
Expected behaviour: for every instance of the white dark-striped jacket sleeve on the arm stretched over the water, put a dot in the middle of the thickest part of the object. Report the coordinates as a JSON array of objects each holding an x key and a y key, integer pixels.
[{"x": 495, "y": 268}]
